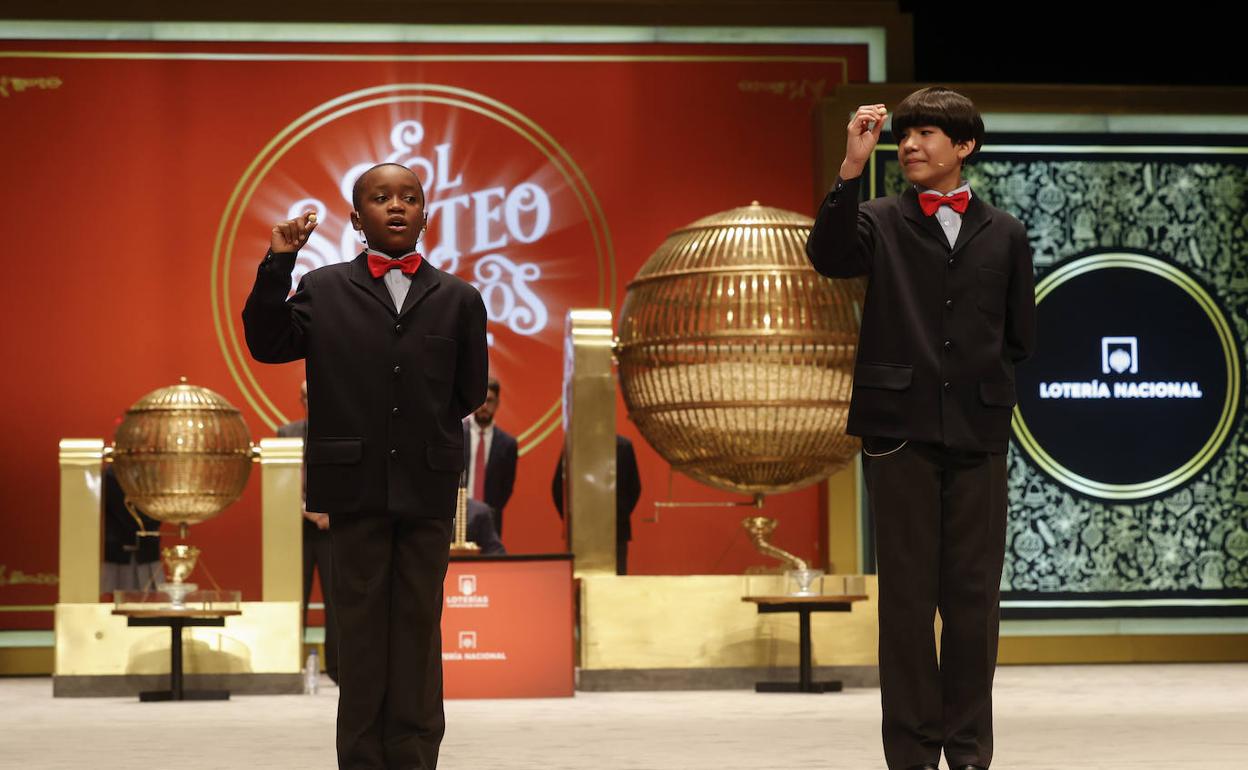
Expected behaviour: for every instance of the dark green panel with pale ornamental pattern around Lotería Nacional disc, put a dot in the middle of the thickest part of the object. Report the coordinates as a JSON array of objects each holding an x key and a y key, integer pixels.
[{"x": 1181, "y": 202}]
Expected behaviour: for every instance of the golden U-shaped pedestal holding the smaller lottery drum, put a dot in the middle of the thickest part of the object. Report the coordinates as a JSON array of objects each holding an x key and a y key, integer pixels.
[{"x": 259, "y": 651}]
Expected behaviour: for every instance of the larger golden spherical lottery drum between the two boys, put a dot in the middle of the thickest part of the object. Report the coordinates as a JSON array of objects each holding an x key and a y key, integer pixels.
[{"x": 736, "y": 358}]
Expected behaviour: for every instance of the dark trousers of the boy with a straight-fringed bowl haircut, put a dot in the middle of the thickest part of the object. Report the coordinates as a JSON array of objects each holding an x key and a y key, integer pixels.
[{"x": 940, "y": 522}]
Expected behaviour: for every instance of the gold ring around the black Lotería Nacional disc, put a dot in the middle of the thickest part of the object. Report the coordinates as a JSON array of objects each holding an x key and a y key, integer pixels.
[{"x": 1230, "y": 407}]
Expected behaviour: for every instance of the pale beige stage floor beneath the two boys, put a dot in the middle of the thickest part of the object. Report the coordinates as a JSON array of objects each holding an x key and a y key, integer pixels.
[{"x": 1075, "y": 718}]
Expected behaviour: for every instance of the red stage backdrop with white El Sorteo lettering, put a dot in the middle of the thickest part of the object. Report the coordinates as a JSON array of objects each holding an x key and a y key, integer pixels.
[{"x": 142, "y": 182}]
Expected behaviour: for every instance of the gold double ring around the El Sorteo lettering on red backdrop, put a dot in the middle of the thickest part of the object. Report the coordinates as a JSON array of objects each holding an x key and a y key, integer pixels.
[{"x": 228, "y": 230}]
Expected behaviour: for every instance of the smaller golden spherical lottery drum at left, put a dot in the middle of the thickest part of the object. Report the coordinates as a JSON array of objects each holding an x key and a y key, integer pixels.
[{"x": 183, "y": 454}]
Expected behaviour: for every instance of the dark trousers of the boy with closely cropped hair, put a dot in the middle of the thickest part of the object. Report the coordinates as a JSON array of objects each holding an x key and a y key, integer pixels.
[{"x": 389, "y": 576}]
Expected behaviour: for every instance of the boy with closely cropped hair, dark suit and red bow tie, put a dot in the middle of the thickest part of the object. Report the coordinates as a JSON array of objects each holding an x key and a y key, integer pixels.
[{"x": 396, "y": 359}]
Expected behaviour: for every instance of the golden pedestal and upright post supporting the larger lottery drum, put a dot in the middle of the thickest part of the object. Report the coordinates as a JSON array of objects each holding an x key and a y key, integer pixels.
[{"x": 643, "y": 632}]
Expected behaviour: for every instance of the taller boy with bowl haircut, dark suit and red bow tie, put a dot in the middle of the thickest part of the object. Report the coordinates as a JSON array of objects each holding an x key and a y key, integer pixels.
[{"x": 949, "y": 311}]
